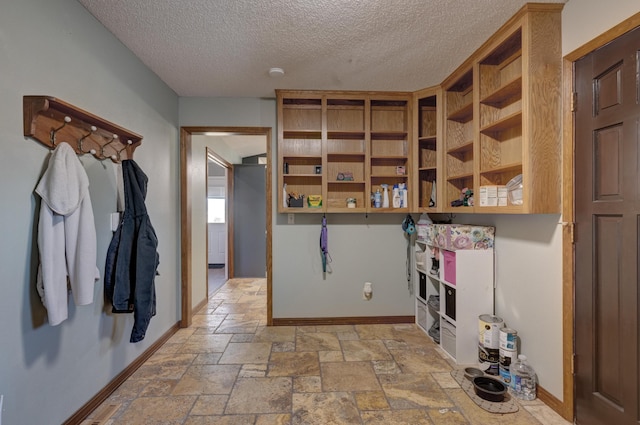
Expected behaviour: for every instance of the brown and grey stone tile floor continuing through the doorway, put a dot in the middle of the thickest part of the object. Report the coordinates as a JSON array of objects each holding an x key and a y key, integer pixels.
[{"x": 230, "y": 368}]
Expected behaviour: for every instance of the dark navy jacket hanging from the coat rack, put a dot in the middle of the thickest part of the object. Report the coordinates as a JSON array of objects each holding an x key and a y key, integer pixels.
[{"x": 132, "y": 257}]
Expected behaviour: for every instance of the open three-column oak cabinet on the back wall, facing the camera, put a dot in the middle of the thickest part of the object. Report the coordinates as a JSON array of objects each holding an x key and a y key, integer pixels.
[{"x": 343, "y": 146}]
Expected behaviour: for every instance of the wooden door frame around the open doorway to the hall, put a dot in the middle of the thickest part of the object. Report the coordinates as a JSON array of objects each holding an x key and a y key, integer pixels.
[{"x": 186, "y": 177}]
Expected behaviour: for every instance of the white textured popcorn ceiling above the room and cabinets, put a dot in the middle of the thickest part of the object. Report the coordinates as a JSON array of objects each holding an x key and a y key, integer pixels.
[{"x": 226, "y": 47}]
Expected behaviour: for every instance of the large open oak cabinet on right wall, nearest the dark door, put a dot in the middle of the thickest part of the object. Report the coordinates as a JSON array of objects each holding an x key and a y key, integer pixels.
[{"x": 512, "y": 126}]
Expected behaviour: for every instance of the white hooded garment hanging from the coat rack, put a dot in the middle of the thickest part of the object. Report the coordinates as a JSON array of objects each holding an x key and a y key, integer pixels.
[{"x": 66, "y": 235}]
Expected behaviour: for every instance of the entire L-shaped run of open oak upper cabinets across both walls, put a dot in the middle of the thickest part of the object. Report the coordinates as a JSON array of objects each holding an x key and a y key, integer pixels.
[{"x": 496, "y": 118}]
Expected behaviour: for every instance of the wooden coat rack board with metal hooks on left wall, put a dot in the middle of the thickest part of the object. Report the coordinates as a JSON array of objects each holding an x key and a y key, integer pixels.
[{"x": 52, "y": 121}]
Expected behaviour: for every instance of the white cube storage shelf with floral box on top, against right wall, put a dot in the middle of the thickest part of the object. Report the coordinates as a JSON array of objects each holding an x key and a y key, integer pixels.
[{"x": 463, "y": 282}]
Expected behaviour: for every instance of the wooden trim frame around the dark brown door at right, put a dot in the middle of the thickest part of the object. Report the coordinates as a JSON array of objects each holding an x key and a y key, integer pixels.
[{"x": 567, "y": 407}]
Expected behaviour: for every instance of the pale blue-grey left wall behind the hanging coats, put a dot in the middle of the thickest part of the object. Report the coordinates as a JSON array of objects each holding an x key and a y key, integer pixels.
[{"x": 55, "y": 47}]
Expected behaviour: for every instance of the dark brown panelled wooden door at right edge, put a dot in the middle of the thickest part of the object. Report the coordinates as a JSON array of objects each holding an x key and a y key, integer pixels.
[{"x": 607, "y": 206}]
